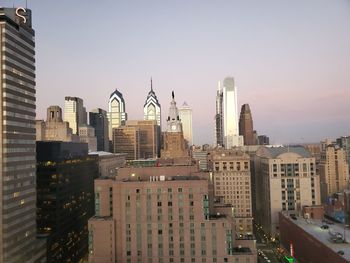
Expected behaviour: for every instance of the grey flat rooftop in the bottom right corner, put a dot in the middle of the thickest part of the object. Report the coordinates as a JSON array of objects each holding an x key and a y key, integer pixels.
[{"x": 313, "y": 228}]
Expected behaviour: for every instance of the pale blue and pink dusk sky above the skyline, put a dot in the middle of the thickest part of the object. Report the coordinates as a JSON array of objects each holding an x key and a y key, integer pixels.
[{"x": 290, "y": 59}]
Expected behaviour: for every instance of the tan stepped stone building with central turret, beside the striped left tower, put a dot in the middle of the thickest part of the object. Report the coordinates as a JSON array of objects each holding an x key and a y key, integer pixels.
[{"x": 54, "y": 128}]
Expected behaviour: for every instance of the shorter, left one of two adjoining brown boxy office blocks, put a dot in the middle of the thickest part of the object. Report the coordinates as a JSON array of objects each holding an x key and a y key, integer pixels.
[{"x": 126, "y": 139}]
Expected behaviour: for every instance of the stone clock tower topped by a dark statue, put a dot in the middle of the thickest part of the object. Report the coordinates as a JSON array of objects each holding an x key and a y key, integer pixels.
[{"x": 174, "y": 144}]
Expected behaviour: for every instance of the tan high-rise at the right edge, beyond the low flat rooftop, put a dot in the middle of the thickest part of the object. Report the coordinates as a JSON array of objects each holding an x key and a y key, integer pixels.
[{"x": 334, "y": 170}]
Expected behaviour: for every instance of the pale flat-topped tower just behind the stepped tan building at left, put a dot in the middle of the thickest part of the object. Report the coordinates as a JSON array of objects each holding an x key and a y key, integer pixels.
[{"x": 74, "y": 113}]
